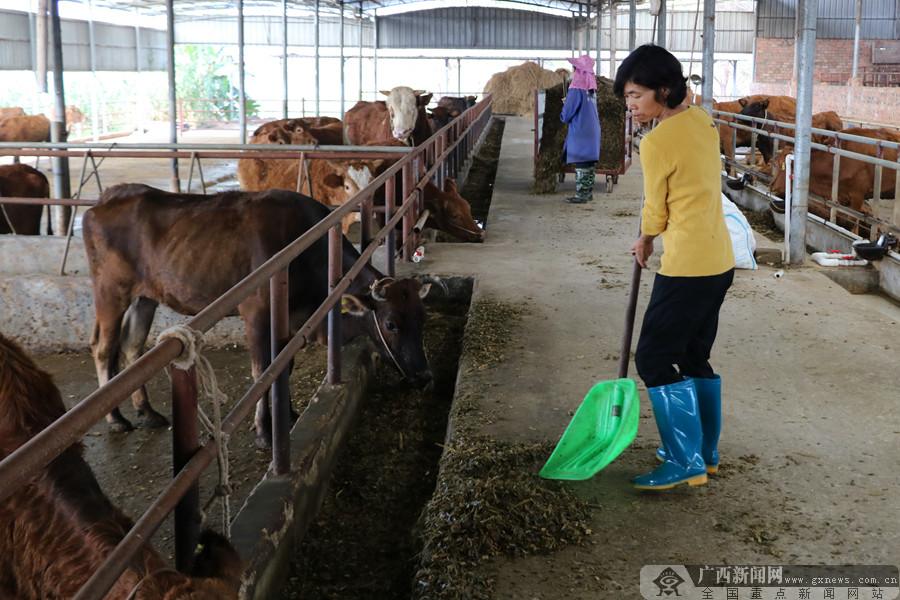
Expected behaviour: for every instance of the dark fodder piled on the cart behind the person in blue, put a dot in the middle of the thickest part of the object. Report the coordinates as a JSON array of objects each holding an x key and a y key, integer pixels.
[{"x": 553, "y": 135}]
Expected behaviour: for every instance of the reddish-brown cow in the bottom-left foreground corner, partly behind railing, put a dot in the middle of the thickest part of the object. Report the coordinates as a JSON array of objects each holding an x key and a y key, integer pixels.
[{"x": 60, "y": 527}]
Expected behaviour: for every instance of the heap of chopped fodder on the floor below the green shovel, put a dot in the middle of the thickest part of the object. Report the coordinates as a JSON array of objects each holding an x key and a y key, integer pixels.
[{"x": 490, "y": 502}]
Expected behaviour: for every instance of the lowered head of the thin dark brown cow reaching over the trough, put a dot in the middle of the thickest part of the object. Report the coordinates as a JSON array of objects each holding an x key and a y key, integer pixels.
[{"x": 395, "y": 323}]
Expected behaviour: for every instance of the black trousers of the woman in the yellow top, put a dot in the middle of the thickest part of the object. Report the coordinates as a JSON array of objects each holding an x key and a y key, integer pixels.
[{"x": 680, "y": 327}]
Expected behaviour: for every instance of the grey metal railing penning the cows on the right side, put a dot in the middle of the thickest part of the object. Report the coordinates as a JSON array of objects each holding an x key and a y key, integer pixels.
[{"x": 757, "y": 128}]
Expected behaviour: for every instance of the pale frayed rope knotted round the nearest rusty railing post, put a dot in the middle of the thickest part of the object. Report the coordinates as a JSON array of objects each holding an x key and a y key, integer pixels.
[{"x": 192, "y": 342}]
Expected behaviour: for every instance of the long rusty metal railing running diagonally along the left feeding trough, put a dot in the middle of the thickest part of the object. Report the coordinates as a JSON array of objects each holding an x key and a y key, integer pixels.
[{"x": 444, "y": 154}]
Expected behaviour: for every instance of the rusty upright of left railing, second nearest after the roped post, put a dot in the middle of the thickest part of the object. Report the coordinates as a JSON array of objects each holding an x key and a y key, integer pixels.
[{"x": 280, "y": 394}]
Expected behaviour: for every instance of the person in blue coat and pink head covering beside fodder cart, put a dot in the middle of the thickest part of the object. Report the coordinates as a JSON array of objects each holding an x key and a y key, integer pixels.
[{"x": 582, "y": 147}]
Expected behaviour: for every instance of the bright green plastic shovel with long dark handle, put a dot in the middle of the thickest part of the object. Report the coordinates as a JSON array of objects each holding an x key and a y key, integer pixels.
[{"x": 607, "y": 420}]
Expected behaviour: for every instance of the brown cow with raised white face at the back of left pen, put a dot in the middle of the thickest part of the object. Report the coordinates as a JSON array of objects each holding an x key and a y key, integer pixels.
[{"x": 402, "y": 117}]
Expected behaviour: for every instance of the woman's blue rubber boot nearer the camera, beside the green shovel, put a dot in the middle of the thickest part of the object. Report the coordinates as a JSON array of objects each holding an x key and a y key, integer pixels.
[{"x": 677, "y": 415}]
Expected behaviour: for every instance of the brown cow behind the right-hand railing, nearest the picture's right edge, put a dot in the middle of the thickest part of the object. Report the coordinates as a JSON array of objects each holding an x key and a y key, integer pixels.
[{"x": 857, "y": 179}]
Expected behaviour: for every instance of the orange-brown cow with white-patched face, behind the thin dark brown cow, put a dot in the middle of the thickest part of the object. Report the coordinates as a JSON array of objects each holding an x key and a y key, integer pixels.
[{"x": 330, "y": 182}]
